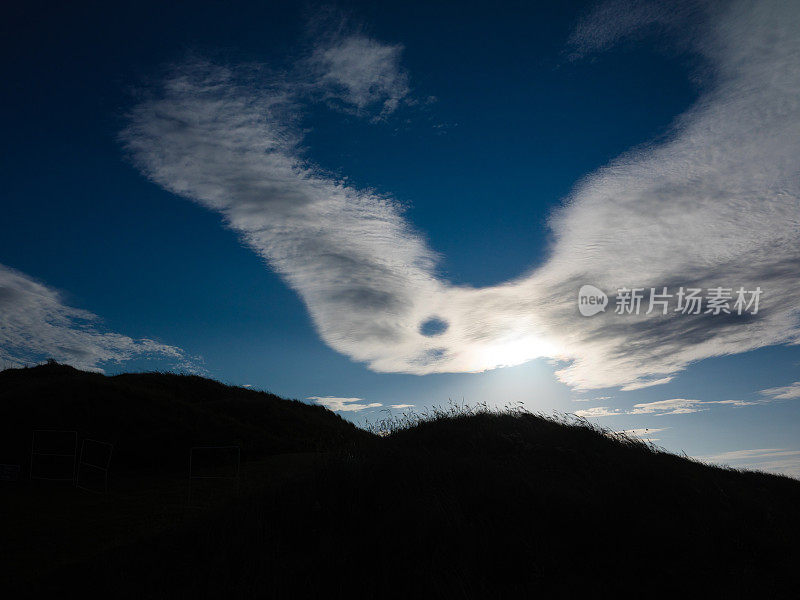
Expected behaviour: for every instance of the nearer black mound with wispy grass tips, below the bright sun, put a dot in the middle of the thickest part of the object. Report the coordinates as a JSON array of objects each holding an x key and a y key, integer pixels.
[{"x": 471, "y": 505}]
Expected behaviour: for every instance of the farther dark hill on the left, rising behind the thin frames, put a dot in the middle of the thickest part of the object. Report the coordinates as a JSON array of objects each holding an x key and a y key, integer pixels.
[{"x": 153, "y": 418}]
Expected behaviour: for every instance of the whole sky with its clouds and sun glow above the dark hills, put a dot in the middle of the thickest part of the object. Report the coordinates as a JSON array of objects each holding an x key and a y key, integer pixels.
[{"x": 383, "y": 207}]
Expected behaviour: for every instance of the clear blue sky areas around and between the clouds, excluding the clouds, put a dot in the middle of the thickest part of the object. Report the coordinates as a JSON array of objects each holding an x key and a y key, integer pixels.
[{"x": 513, "y": 128}]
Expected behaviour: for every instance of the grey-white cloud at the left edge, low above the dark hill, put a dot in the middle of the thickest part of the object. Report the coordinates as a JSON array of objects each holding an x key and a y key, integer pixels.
[{"x": 35, "y": 324}]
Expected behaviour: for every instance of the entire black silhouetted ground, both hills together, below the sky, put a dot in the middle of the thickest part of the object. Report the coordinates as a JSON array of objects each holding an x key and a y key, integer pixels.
[{"x": 467, "y": 504}]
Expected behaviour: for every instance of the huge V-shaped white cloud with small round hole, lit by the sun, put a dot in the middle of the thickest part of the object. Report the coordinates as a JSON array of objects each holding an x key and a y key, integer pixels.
[{"x": 716, "y": 203}]
